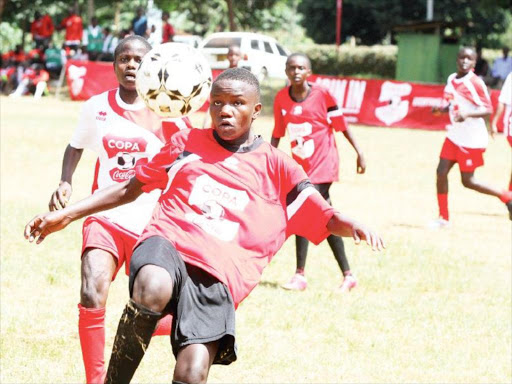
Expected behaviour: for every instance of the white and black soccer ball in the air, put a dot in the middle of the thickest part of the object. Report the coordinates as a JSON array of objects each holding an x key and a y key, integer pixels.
[{"x": 174, "y": 79}]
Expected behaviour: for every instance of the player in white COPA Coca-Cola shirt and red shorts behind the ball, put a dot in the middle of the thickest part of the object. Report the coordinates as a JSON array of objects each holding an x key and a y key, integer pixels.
[{"x": 124, "y": 133}]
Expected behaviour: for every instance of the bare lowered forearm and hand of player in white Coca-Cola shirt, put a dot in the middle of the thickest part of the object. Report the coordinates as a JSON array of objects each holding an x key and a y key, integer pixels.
[{"x": 62, "y": 194}]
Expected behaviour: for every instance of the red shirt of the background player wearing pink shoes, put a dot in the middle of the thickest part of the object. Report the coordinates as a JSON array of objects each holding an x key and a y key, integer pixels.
[{"x": 310, "y": 125}]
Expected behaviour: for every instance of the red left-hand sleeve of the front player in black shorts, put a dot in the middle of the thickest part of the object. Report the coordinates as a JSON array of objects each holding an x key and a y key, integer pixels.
[{"x": 154, "y": 174}]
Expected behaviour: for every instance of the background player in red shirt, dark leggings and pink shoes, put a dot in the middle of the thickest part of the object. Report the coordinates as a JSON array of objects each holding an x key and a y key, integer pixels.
[{"x": 311, "y": 116}]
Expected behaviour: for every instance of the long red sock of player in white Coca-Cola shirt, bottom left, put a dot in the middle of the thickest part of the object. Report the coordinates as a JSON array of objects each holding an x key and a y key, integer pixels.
[{"x": 91, "y": 328}]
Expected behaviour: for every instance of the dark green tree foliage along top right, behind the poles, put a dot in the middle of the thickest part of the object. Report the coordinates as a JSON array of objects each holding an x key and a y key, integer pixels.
[{"x": 371, "y": 20}]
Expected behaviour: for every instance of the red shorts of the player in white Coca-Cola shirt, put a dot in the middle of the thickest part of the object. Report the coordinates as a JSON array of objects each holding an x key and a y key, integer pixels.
[{"x": 100, "y": 233}]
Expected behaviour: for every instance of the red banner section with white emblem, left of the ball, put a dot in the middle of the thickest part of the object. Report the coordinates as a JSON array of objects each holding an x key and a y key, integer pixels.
[{"x": 89, "y": 78}]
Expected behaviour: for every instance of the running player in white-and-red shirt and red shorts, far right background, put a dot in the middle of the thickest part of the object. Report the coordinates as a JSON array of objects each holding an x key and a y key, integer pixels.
[{"x": 468, "y": 103}]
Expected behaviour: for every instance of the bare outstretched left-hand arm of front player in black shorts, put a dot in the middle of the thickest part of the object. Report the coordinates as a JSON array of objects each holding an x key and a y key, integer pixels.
[{"x": 42, "y": 225}]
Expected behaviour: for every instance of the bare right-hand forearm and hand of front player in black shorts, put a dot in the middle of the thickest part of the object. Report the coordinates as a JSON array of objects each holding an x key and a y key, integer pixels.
[{"x": 342, "y": 225}]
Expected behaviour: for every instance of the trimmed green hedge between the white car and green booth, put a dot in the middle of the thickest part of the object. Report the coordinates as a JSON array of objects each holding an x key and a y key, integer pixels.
[{"x": 378, "y": 61}]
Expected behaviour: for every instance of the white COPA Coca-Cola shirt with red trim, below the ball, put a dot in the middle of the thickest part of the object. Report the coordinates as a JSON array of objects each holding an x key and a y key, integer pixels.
[{"x": 123, "y": 135}]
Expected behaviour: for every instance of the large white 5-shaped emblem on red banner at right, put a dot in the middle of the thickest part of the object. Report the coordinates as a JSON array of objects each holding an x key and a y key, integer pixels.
[{"x": 396, "y": 109}]
